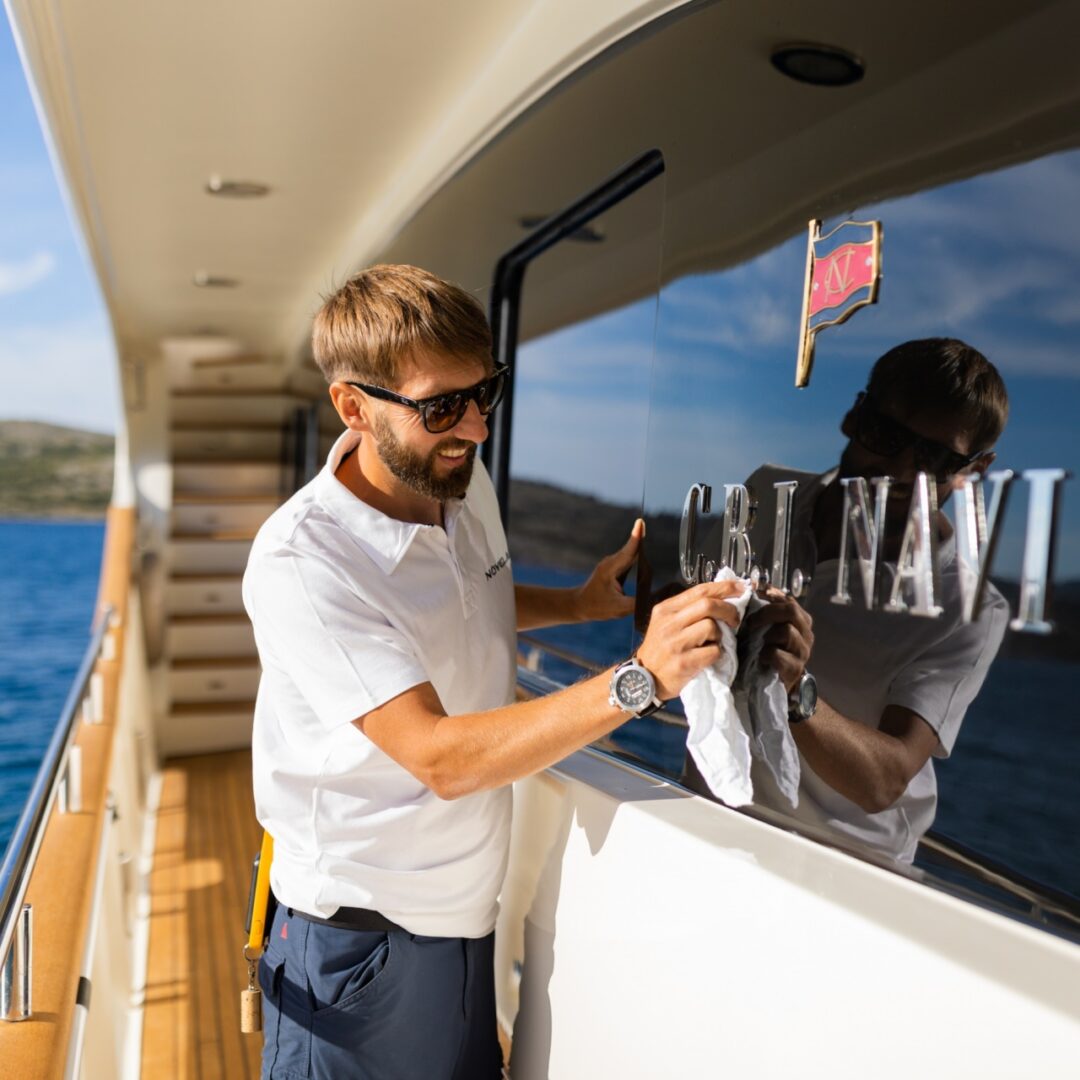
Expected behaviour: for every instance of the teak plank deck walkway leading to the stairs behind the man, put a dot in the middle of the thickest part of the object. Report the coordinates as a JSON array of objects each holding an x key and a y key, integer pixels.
[{"x": 207, "y": 839}]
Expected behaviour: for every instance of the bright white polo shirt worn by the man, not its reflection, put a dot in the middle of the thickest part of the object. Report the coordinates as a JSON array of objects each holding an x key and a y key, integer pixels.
[{"x": 352, "y": 609}]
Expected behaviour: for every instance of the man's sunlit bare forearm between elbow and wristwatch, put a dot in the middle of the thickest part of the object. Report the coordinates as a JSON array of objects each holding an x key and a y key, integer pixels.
[{"x": 477, "y": 752}]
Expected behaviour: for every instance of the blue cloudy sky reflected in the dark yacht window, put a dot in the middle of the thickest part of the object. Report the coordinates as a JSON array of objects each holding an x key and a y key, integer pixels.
[{"x": 994, "y": 261}]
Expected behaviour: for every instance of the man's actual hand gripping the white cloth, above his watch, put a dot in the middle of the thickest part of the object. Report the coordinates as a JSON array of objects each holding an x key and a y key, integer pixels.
[{"x": 683, "y": 638}]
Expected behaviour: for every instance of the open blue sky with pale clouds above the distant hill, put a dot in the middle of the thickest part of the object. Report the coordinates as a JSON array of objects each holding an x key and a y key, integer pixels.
[{"x": 58, "y": 361}]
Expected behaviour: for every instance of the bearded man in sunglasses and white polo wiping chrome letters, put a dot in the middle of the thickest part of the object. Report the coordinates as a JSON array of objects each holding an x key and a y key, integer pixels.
[{"x": 385, "y": 736}]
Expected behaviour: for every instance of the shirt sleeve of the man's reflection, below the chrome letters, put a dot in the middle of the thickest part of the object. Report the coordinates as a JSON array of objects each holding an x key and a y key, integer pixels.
[{"x": 943, "y": 682}]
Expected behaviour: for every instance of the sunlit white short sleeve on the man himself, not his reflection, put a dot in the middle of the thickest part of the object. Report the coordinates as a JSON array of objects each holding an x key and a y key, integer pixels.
[{"x": 344, "y": 657}]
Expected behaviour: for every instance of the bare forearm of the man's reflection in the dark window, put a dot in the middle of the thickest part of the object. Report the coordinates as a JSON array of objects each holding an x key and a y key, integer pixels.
[{"x": 865, "y": 765}]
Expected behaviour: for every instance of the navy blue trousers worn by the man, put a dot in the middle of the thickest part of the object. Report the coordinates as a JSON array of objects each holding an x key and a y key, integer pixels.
[{"x": 352, "y": 1005}]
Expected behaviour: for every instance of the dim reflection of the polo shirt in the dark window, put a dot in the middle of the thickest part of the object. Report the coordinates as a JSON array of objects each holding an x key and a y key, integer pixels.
[{"x": 866, "y": 661}]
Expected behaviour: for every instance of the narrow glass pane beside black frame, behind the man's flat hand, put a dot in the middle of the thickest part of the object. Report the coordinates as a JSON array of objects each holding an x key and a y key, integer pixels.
[{"x": 580, "y": 418}]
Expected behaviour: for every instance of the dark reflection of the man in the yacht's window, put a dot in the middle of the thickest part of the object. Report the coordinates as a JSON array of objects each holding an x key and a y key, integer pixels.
[{"x": 894, "y": 688}]
